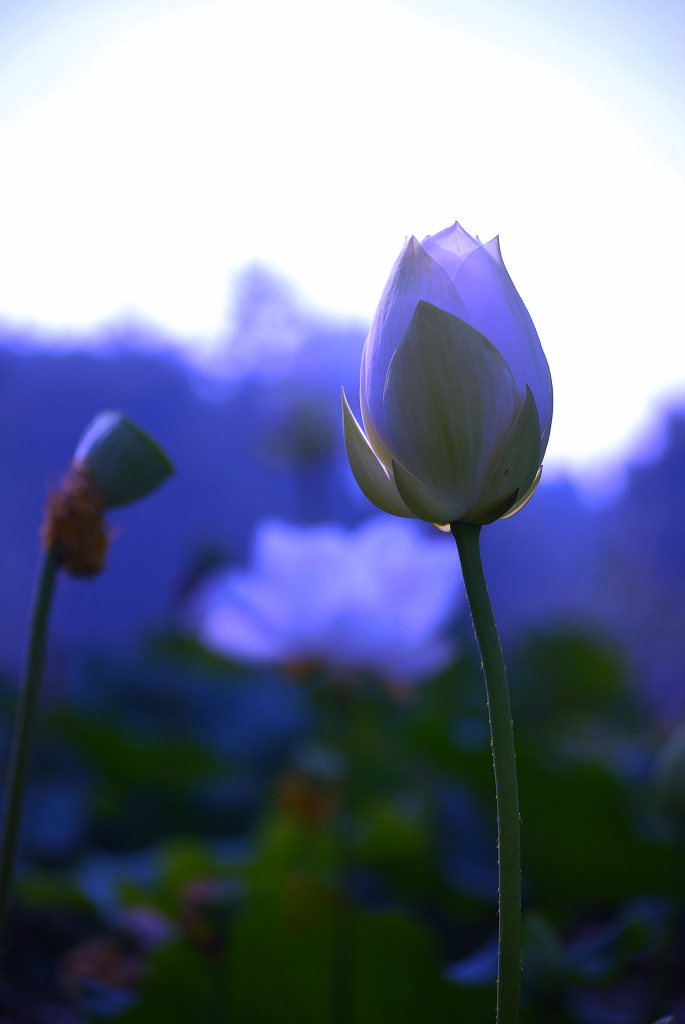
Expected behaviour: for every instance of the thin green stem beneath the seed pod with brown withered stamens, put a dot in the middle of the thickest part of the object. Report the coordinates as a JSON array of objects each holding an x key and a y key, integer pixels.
[{"x": 26, "y": 714}]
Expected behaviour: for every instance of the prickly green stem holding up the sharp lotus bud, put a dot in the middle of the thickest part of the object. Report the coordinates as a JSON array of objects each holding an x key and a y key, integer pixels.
[{"x": 504, "y": 762}]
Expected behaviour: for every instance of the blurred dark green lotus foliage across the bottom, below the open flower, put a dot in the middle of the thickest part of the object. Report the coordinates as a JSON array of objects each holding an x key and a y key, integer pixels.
[{"x": 365, "y": 877}]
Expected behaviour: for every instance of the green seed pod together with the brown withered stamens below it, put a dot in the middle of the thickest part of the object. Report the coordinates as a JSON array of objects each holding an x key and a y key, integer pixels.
[{"x": 115, "y": 463}]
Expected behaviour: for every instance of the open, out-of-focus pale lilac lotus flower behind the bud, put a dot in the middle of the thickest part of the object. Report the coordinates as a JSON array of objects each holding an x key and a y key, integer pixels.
[{"x": 376, "y": 599}]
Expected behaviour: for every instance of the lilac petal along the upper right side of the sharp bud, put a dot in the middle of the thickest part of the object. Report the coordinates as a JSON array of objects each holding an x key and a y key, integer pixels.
[{"x": 496, "y": 309}]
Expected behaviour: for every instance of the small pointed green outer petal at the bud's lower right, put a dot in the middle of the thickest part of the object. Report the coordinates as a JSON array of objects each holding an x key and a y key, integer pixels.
[{"x": 520, "y": 460}]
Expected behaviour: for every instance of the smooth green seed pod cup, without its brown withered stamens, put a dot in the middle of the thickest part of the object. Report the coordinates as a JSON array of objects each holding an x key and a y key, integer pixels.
[{"x": 123, "y": 461}]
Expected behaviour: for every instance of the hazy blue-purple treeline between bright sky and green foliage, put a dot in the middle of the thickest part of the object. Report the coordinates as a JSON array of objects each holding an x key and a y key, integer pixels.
[{"x": 249, "y": 450}]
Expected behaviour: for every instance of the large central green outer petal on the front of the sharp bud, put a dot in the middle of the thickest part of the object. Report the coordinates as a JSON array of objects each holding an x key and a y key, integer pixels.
[{"x": 450, "y": 404}]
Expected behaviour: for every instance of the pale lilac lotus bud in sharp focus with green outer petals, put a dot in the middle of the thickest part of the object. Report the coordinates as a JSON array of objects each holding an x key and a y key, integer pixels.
[{"x": 456, "y": 392}]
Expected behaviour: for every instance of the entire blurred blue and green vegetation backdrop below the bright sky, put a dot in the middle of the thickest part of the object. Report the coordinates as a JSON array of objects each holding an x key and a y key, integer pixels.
[{"x": 211, "y": 841}]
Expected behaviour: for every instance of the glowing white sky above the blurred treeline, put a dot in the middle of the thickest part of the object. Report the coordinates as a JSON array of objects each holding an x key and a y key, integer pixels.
[{"x": 151, "y": 151}]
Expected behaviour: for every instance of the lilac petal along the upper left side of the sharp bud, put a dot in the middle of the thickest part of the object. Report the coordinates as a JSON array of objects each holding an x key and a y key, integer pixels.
[{"x": 415, "y": 276}]
